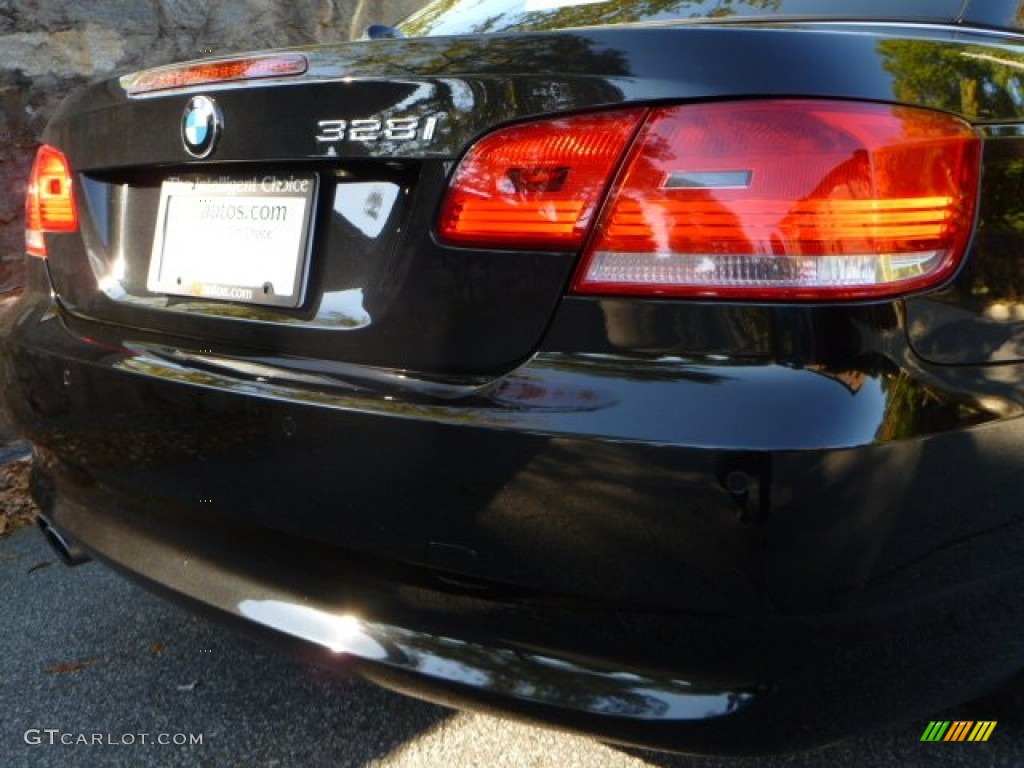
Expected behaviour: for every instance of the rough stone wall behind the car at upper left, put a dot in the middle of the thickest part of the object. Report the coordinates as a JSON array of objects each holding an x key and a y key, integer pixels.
[{"x": 49, "y": 48}]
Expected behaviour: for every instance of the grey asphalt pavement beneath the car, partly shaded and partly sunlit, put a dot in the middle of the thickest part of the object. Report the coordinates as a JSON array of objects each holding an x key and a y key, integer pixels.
[{"x": 99, "y": 672}]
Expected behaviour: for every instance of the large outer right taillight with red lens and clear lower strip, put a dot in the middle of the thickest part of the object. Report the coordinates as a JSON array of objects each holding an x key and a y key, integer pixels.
[{"x": 787, "y": 199}]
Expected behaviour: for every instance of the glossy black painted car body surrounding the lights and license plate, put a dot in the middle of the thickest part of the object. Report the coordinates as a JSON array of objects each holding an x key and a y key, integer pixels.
[{"x": 775, "y": 511}]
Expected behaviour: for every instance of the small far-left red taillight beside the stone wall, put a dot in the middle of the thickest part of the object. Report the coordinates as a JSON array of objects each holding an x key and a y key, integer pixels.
[{"x": 50, "y": 206}]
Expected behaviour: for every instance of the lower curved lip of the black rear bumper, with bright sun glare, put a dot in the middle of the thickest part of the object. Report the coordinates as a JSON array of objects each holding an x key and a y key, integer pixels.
[{"x": 677, "y": 681}]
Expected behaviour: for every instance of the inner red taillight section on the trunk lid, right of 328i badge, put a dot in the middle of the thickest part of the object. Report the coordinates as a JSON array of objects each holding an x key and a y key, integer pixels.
[{"x": 536, "y": 186}]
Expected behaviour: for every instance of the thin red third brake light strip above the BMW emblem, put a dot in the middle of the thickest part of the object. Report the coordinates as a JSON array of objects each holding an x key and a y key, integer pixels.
[{"x": 184, "y": 76}]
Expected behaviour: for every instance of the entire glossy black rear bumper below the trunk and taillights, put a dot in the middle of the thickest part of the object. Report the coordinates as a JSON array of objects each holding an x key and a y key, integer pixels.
[{"x": 629, "y": 557}]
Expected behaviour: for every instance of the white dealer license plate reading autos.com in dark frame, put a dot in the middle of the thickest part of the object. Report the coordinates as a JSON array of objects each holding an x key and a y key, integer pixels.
[{"x": 236, "y": 239}]
